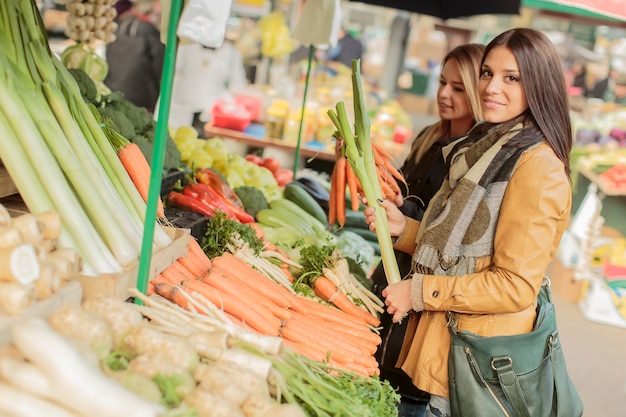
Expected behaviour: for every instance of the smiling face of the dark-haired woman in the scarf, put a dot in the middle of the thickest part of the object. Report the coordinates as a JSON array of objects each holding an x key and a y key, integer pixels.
[{"x": 500, "y": 87}]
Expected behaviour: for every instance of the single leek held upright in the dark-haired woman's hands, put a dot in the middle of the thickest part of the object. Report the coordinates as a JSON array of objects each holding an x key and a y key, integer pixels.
[{"x": 360, "y": 155}]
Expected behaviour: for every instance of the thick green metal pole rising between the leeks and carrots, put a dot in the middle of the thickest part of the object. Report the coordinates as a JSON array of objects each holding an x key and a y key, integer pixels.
[{"x": 160, "y": 141}]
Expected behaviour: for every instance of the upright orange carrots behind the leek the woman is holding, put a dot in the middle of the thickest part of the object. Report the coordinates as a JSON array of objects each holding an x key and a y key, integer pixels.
[{"x": 343, "y": 176}]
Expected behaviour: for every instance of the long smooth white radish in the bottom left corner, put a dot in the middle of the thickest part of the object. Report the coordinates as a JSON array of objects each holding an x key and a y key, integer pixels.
[{"x": 75, "y": 384}]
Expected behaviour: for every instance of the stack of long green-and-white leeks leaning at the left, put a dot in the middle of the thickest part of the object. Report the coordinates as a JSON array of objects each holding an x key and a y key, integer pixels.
[{"x": 57, "y": 153}]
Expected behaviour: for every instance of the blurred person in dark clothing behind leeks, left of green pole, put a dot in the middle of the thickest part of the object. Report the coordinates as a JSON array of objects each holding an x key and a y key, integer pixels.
[{"x": 136, "y": 56}]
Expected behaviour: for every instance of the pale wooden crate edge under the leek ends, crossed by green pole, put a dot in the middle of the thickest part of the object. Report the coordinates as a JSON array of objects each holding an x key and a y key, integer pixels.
[{"x": 117, "y": 285}]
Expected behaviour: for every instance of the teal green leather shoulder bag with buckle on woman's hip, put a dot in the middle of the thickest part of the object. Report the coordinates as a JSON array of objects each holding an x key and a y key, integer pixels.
[{"x": 514, "y": 376}]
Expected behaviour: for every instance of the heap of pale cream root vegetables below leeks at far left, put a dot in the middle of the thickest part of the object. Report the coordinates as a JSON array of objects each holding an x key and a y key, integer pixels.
[{"x": 33, "y": 267}]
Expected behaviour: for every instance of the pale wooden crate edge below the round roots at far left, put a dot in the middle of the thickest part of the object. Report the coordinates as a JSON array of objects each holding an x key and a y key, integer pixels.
[{"x": 71, "y": 293}]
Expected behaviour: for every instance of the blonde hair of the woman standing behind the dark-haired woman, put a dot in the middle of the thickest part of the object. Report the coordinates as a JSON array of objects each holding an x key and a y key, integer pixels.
[{"x": 468, "y": 57}]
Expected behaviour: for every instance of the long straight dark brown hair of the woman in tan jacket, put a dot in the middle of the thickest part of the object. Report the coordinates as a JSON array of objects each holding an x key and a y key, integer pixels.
[{"x": 543, "y": 82}]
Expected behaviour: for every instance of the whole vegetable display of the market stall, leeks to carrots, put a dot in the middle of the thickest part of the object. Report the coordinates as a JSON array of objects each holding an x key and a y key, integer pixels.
[{"x": 166, "y": 316}]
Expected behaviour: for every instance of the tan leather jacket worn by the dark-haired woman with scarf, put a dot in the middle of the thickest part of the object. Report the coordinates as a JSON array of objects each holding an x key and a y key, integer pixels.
[{"x": 499, "y": 299}]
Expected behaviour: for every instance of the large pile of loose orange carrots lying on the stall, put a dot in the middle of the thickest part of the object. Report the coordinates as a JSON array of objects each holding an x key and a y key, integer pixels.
[{"x": 253, "y": 301}]
